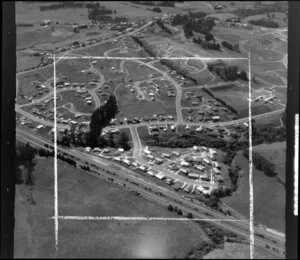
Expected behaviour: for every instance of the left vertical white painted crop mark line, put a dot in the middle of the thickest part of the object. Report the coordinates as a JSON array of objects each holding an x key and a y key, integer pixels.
[{"x": 55, "y": 160}]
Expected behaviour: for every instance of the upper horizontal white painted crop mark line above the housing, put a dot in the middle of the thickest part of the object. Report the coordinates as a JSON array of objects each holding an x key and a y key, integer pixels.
[{"x": 145, "y": 58}]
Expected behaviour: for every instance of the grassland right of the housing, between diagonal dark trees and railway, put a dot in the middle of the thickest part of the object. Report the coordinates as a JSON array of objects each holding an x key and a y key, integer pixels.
[{"x": 269, "y": 197}]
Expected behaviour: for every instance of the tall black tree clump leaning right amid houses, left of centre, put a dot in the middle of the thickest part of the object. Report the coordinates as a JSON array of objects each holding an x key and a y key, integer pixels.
[{"x": 101, "y": 118}]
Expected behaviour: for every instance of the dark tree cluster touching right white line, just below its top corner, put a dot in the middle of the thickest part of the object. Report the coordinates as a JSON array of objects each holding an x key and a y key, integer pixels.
[{"x": 228, "y": 73}]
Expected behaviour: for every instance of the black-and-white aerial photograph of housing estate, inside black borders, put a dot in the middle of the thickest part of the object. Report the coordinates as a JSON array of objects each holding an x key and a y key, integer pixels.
[{"x": 151, "y": 129}]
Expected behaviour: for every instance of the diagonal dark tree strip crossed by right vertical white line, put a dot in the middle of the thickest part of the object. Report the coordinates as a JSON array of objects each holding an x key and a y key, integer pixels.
[{"x": 261, "y": 163}]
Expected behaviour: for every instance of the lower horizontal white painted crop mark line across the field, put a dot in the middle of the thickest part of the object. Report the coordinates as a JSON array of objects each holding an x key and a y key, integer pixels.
[{"x": 108, "y": 218}]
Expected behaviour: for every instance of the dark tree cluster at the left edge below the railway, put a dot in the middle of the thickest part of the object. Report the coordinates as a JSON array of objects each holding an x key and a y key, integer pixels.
[{"x": 25, "y": 156}]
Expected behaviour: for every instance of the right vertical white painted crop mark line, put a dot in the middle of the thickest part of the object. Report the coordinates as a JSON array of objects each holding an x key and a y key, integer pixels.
[{"x": 251, "y": 217}]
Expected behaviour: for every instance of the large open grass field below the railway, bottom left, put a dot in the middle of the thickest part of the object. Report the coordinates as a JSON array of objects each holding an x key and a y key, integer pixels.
[{"x": 34, "y": 231}]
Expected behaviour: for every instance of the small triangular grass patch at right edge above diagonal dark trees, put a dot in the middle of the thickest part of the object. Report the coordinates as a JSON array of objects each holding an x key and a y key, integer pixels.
[{"x": 276, "y": 154}]
